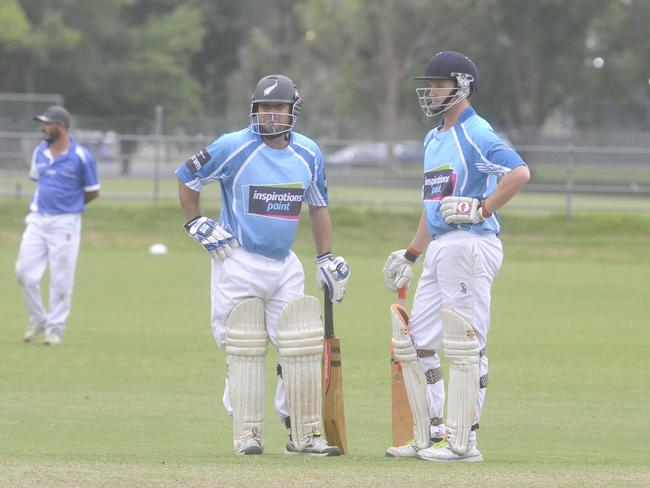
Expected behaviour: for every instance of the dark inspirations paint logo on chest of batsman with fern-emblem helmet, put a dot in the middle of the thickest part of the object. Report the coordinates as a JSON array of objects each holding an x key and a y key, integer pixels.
[{"x": 282, "y": 202}]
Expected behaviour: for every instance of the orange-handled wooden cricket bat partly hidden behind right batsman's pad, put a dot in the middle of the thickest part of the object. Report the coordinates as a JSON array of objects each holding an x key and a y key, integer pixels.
[{"x": 401, "y": 411}]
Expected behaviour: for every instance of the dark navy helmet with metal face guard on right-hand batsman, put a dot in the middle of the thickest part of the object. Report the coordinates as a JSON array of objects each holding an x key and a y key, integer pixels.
[{"x": 447, "y": 65}]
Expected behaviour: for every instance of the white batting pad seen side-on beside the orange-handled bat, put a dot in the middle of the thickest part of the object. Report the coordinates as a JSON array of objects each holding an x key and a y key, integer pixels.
[{"x": 414, "y": 379}]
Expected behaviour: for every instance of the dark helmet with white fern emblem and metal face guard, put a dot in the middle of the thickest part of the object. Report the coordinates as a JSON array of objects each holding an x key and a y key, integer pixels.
[{"x": 274, "y": 89}]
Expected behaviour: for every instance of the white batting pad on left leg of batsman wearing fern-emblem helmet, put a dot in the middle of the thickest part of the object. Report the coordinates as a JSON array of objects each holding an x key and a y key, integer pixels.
[{"x": 246, "y": 341}]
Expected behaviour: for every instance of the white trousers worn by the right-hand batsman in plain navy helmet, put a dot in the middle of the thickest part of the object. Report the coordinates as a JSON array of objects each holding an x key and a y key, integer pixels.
[{"x": 459, "y": 268}]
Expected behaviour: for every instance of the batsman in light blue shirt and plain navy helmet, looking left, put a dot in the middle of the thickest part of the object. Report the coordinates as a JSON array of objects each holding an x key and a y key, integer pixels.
[{"x": 469, "y": 173}]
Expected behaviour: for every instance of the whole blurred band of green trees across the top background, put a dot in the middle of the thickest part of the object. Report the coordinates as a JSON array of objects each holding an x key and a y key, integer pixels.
[{"x": 353, "y": 60}]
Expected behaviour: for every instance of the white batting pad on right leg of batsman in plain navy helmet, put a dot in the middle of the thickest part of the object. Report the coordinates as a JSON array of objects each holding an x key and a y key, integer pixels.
[{"x": 463, "y": 354}]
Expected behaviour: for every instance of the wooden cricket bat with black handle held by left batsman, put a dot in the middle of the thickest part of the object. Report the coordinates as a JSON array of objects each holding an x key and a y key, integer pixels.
[{"x": 333, "y": 411}]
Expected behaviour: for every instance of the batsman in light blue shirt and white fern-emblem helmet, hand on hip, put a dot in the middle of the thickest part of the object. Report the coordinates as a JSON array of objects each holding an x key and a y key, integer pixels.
[{"x": 266, "y": 171}]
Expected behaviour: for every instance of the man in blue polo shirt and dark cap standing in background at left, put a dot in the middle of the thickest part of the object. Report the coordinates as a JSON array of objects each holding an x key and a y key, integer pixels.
[{"x": 66, "y": 174}]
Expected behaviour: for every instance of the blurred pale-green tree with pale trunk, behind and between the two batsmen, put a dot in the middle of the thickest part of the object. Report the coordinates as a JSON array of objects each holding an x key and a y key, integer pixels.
[{"x": 365, "y": 56}]
